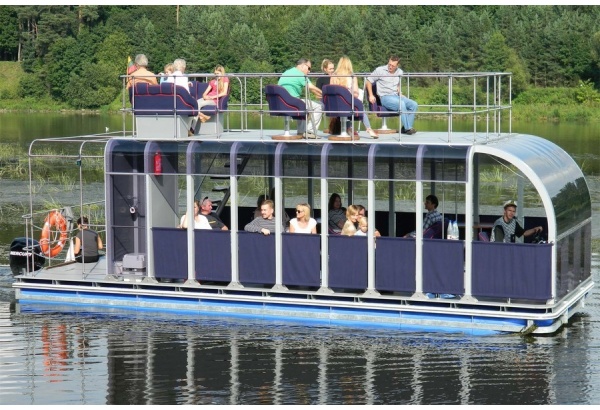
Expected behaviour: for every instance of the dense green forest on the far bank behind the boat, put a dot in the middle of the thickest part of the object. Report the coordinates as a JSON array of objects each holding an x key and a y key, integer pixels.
[{"x": 71, "y": 57}]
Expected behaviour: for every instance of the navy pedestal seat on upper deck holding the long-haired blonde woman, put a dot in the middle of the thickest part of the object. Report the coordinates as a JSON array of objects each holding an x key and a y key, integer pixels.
[{"x": 339, "y": 102}]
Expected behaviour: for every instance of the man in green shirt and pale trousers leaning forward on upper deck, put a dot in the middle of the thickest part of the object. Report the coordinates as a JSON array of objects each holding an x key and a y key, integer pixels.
[{"x": 295, "y": 81}]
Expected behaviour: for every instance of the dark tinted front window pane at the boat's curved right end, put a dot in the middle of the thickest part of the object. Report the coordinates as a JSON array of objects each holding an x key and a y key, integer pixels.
[{"x": 572, "y": 204}]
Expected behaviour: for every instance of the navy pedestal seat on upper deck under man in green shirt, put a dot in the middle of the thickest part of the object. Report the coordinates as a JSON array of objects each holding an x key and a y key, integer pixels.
[{"x": 282, "y": 104}]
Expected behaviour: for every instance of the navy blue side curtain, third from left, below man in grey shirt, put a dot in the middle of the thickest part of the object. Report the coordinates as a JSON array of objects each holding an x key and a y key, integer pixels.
[{"x": 256, "y": 258}]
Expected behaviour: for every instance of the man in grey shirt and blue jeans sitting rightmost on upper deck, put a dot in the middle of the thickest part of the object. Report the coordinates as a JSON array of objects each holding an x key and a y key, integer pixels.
[{"x": 387, "y": 78}]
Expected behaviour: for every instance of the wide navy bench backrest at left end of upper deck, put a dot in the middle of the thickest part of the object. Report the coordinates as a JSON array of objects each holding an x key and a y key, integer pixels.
[{"x": 162, "y": 99}]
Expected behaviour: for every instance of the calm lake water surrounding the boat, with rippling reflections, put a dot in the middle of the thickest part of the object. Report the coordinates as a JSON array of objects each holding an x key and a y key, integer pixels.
[{"x": 117, "y": 357}]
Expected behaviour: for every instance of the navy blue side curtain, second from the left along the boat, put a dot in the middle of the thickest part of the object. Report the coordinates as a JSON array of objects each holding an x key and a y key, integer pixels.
[{"x": 213, "y": 255}]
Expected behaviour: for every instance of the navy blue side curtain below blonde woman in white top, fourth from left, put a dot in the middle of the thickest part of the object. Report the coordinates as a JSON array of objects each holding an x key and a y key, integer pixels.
[{"x": 301, "y": 259}]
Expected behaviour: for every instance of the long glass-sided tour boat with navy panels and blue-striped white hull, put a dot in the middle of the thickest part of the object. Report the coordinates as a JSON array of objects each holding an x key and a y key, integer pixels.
[{"x": 154, "y": 174}]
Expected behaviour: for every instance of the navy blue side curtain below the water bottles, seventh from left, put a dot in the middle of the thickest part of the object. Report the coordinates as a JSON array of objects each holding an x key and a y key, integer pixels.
[{"x": 443, "y": 266}]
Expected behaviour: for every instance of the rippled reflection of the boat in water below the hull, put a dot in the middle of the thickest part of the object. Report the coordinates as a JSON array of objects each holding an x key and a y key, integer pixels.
[{"x": 110, "y": 357}]
